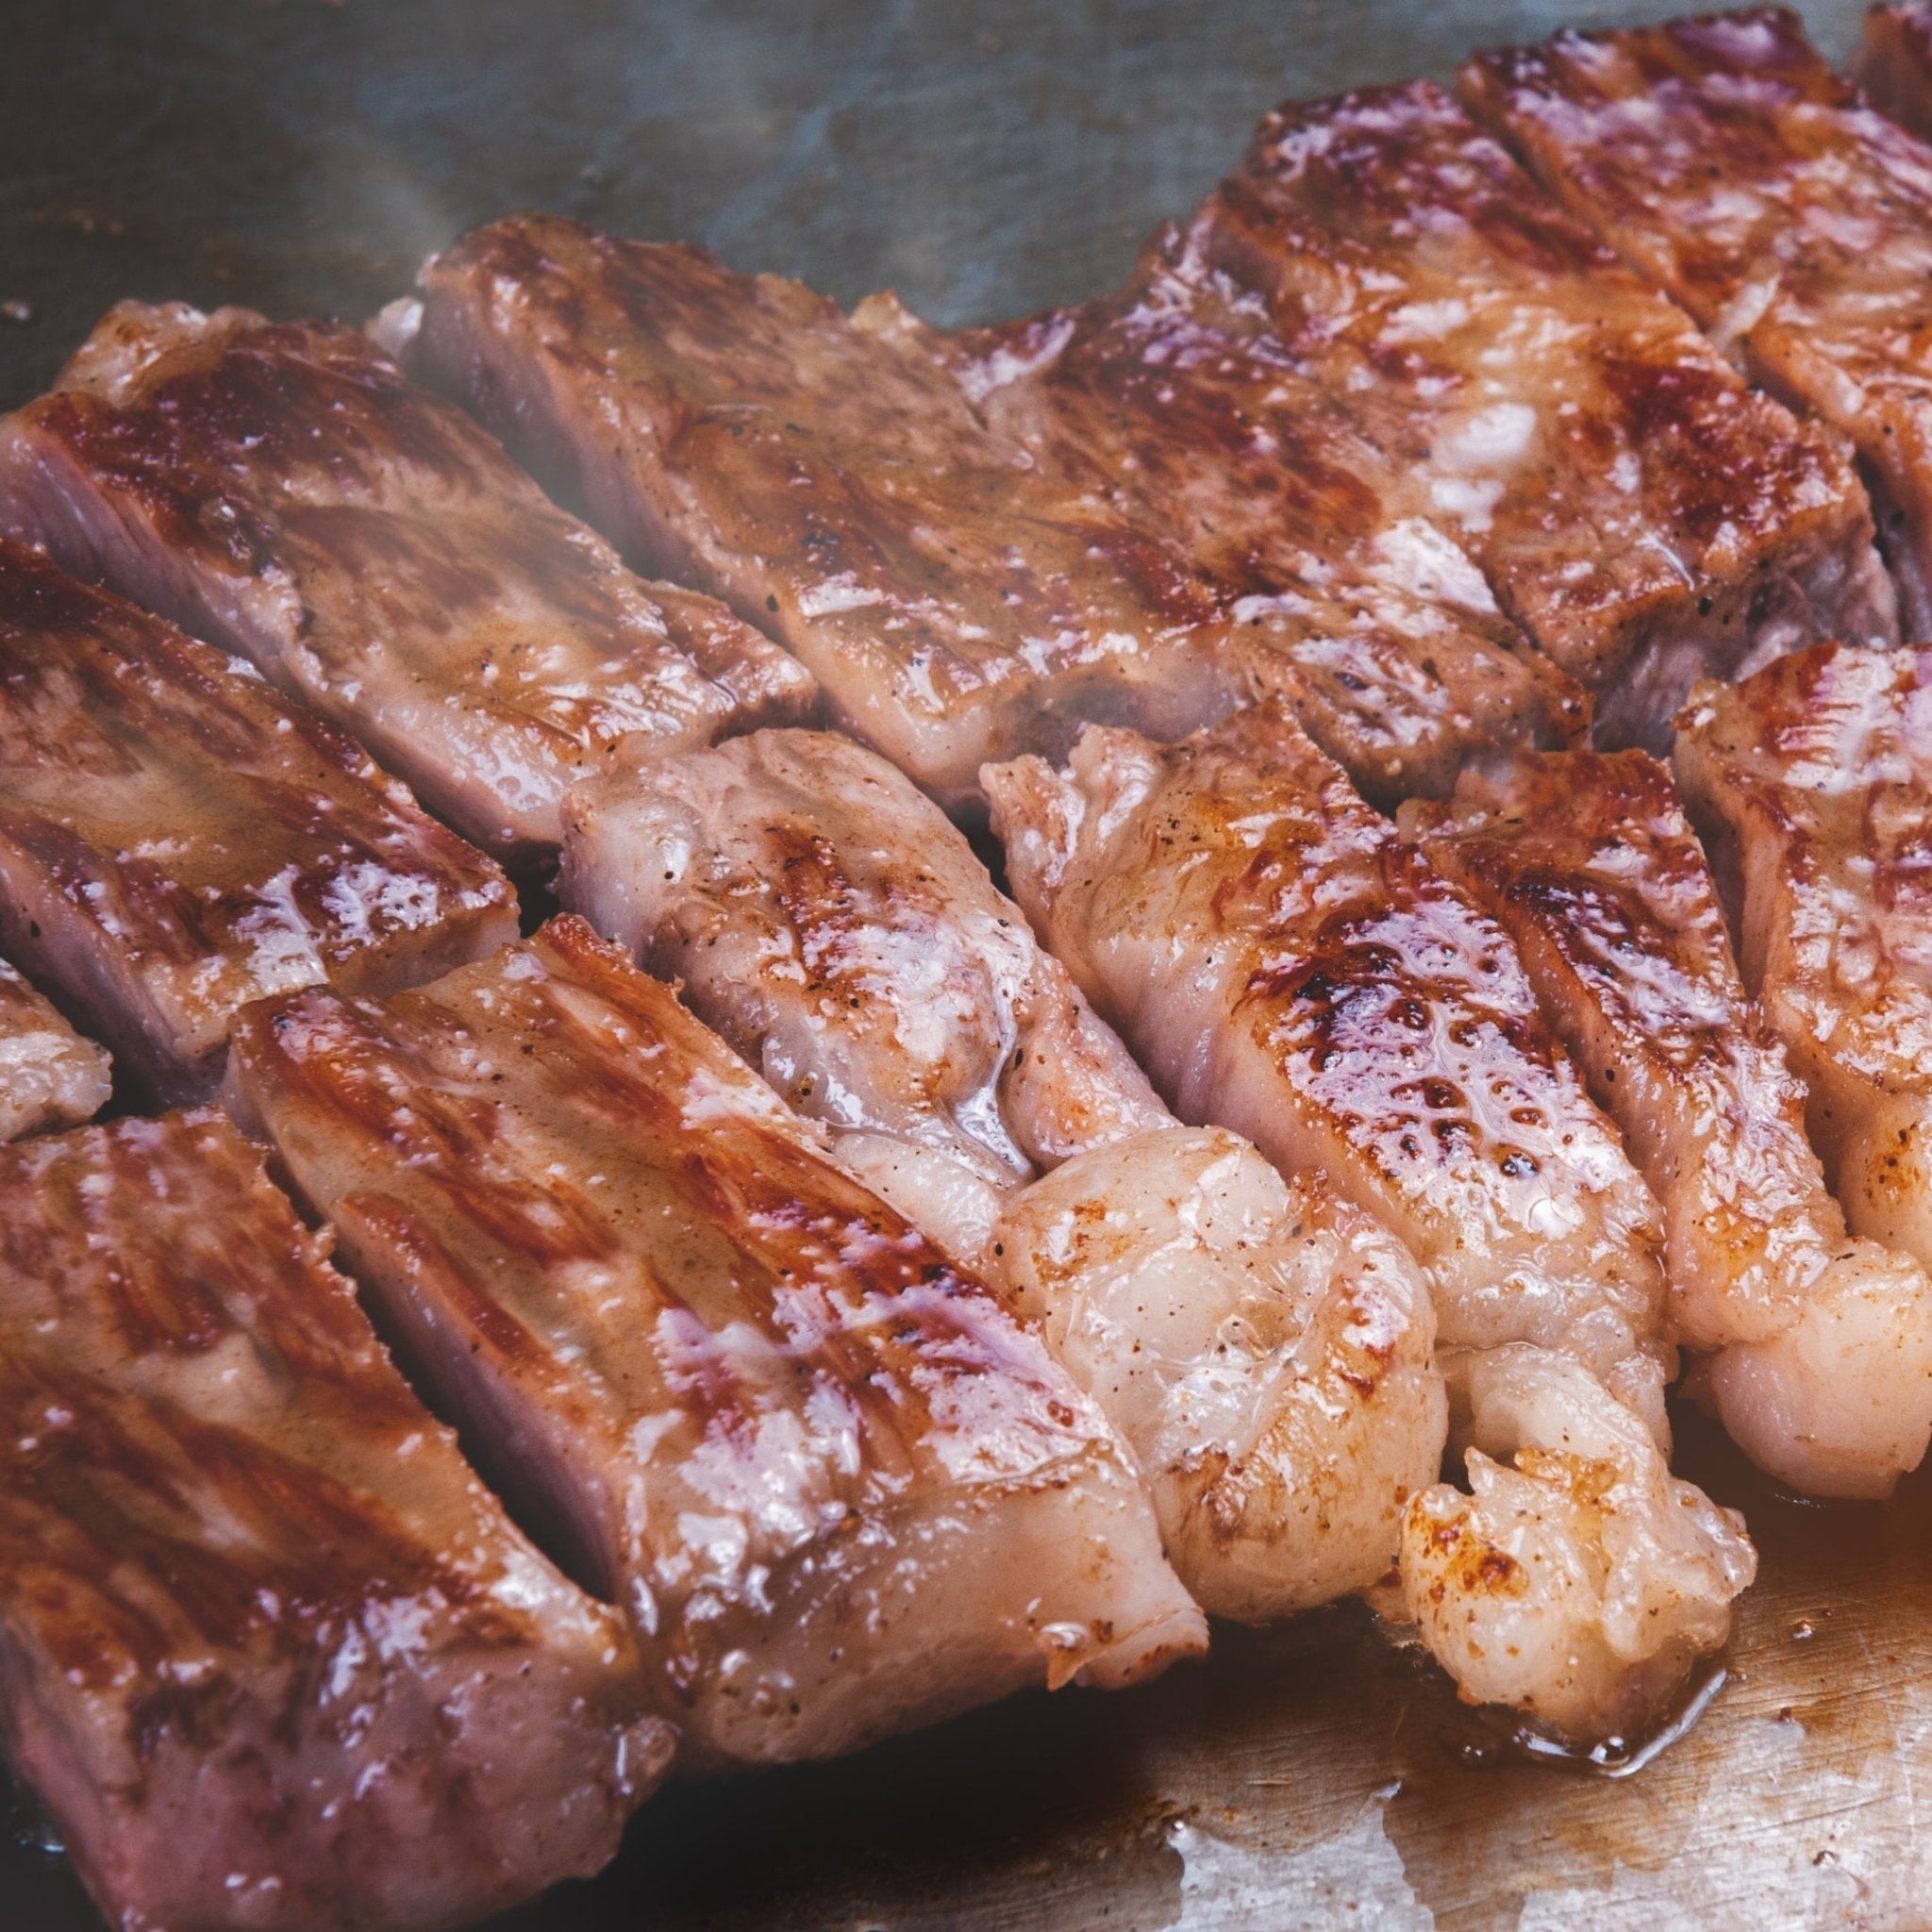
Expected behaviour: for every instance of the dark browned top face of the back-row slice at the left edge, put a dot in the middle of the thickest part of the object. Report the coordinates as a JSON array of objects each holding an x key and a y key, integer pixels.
[{"x": 175, "y": 745}]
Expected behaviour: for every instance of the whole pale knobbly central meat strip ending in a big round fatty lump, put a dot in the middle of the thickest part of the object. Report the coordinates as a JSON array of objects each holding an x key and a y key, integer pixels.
[{"x": 1266, "y": 1355}]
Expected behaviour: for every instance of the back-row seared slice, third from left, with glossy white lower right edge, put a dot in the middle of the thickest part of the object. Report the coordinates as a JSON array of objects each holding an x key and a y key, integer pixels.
[{"x": 1178, "y": 403}]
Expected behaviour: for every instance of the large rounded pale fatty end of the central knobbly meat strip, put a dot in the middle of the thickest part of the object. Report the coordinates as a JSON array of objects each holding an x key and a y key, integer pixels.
[{"x": 1264, "y": 1348}]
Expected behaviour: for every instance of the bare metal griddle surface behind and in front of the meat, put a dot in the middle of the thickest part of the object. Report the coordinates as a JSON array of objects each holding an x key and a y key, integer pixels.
[{"x": 984, "y": 161}]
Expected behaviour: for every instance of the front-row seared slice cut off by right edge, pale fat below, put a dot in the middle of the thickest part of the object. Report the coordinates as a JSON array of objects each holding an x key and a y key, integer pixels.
[{"x": 1813, "y": 783}]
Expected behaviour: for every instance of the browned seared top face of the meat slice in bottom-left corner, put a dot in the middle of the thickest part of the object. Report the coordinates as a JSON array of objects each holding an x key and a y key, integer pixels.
[{"x": 103, "y": 1523}]
